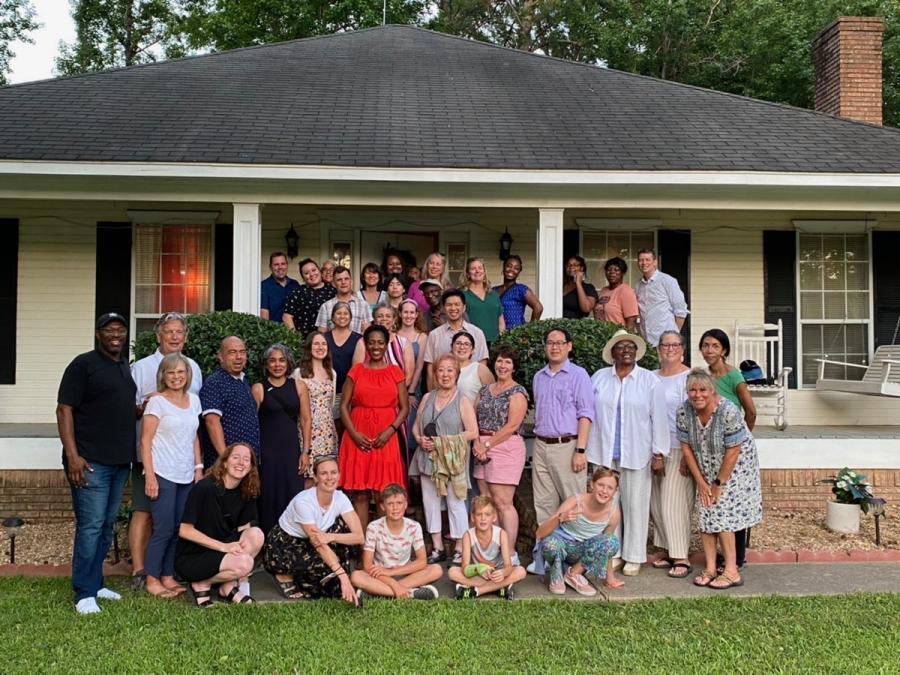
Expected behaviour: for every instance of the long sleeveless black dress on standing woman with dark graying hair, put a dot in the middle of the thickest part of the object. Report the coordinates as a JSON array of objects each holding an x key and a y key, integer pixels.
[{"x": 280, "y": 450}]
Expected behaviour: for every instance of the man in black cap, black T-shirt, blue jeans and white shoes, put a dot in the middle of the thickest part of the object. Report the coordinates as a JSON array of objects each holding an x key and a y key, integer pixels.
[{"x": 95, "y": 416}]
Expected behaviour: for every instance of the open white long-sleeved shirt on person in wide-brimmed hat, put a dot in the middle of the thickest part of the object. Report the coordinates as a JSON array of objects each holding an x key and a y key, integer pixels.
[{"x": 645, "y": 430}]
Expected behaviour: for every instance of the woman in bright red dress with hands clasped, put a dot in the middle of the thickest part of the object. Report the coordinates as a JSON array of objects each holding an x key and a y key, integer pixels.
[{"x": 374, "y": 405}]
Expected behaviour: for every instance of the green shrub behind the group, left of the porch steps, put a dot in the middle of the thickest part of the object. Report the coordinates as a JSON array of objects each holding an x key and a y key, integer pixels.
[{"x": 206, "y": 332}]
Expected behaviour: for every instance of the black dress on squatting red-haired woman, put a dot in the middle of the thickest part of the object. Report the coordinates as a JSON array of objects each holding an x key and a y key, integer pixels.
[{"x": 217, "y": 512}]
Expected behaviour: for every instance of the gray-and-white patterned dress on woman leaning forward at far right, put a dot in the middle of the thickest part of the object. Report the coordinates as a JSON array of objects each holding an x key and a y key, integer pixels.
[{"x": 740, "y": 502}]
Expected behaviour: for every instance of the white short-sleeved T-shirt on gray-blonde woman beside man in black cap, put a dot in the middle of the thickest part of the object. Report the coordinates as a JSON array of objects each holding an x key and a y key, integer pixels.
[{"x": 172, "y": 446}]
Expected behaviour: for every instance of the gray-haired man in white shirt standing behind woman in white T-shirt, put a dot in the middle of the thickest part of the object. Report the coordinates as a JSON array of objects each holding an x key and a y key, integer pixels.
[{"x": 171, "y": 335}]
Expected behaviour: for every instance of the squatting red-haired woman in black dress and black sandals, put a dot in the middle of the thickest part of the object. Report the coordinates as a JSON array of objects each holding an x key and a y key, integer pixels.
[{"x": 218, "y": 541}]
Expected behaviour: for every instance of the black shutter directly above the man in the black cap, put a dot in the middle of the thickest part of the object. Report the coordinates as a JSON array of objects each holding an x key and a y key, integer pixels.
[{"x": 113, "y": 280}]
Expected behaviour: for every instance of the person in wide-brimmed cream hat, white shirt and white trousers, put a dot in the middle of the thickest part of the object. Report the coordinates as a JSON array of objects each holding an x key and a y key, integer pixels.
[{"x": 631, "y": 436}]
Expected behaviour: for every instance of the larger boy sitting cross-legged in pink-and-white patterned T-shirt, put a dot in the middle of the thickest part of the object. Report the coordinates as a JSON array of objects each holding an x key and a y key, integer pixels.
[{"x": 393, "y": 561}]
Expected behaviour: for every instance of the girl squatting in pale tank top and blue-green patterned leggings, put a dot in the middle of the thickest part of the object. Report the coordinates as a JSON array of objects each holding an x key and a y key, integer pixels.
[{"x": 582, "y": 534}]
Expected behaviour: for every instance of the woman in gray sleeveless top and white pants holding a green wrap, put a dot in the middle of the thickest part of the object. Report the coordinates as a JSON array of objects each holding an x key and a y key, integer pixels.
[{"x": 445, "y": 413}]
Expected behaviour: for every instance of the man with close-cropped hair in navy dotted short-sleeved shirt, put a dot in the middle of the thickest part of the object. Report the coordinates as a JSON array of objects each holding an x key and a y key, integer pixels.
[{"x": 229, "y": 410}]
